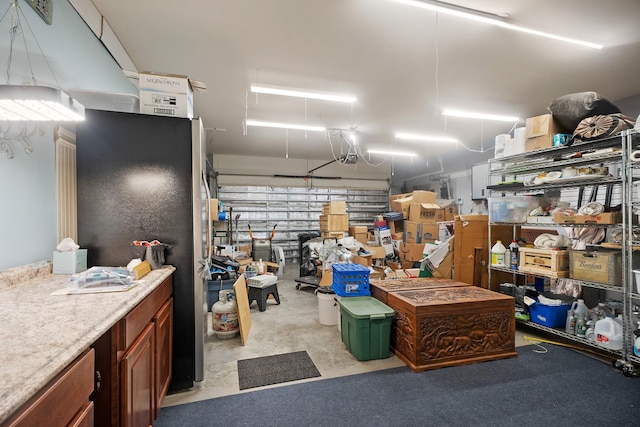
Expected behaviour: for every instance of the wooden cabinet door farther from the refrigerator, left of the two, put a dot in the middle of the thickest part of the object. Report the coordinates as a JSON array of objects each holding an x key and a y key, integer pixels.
[{"x": 137, "y": 365}]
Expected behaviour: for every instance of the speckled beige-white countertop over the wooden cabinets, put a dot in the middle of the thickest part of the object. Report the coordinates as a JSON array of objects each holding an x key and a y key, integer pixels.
[{"x": 40, "y": 333}]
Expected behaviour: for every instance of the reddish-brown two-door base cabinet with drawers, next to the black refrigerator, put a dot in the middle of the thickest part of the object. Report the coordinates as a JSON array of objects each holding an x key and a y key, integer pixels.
[{"x": 135, "y": 358}]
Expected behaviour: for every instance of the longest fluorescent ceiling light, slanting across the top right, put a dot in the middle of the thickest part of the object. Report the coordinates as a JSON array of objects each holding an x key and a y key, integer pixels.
[{"x": 489, "y": 18}]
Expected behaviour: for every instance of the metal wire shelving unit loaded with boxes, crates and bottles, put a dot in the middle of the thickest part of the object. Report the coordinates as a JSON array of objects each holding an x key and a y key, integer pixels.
[{"x": 599, "y": 265}]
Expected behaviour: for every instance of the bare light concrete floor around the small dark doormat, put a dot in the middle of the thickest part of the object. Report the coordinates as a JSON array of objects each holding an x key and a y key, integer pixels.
[{"x": 291, "y": 326}]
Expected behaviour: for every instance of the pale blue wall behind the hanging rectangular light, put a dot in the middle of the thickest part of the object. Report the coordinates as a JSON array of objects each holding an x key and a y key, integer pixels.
[{"x": 27, "y": 182}]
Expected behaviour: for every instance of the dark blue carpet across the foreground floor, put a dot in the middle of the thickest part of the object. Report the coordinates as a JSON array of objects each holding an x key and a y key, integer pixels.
[{"x": 557, "y": 388}]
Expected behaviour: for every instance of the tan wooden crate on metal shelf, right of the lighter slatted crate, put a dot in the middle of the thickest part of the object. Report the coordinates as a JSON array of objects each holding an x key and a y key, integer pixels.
[{"x": 601, "y": 267}]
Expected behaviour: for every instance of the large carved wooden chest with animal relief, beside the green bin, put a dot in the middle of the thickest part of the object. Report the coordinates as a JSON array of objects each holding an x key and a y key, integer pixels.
[{"x": 434, "y": 328}]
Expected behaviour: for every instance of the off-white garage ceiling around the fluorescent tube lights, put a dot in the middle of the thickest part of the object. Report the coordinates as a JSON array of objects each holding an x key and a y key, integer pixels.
[{"x": 404, "y": 64}]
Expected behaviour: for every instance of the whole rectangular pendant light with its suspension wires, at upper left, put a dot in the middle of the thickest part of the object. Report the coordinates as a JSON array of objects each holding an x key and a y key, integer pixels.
[{"x": 33, "y": 102}]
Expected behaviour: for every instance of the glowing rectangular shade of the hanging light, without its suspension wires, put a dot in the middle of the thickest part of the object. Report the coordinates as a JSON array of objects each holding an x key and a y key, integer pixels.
[{"x": 41, "y": 103}]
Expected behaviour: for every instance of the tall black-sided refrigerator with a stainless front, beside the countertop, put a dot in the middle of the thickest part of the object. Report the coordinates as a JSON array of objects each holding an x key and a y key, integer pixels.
[{"x": 142, "y": 177}]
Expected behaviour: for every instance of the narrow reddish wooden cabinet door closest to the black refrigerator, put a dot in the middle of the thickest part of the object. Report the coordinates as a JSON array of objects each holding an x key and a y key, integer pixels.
[{"x": 163, "y": 324}]
